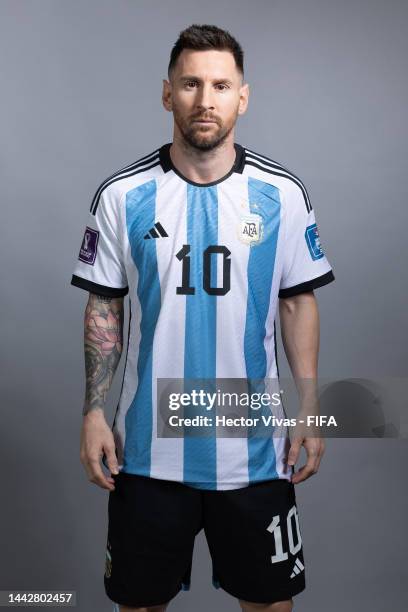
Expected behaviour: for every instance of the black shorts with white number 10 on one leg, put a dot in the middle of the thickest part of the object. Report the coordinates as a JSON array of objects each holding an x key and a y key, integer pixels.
[{"x": 253, "y": 536}]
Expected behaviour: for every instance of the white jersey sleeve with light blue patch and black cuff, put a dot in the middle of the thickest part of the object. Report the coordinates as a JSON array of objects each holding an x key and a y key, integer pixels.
[{"x": 305, "y": 266}]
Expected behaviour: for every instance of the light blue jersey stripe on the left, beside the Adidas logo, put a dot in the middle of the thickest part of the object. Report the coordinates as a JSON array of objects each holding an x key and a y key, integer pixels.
[{"x": 140, "y": 214}]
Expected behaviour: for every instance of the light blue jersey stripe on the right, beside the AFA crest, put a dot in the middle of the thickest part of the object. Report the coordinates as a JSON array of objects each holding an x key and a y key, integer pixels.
[{"x": 263, "y": 200}]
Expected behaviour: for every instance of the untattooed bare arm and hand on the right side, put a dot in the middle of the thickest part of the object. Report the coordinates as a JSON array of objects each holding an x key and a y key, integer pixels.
[{"x": 299, "y": 319}]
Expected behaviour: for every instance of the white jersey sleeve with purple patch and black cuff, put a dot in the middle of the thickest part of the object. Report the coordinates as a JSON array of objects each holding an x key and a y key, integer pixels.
[{"x": 100, "y": 266}]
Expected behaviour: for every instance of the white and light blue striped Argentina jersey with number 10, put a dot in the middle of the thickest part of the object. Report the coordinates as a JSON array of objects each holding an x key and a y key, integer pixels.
[{"x": 204, "y": 266}]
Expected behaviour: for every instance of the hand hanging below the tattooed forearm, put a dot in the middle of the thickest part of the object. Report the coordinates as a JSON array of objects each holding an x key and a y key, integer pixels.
[{"x": 97, "y": 438}]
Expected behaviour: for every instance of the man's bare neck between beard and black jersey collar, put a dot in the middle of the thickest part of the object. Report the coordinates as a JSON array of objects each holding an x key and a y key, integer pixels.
[{"x": 203, "y": 166}]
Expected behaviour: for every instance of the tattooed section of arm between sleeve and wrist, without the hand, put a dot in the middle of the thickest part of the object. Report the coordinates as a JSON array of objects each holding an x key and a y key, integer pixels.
[{"x": 103, "y": 341}]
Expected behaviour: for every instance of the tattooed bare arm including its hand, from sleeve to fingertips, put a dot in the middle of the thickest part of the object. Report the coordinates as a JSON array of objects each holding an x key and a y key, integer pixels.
[{"x": 103, "y": 342}]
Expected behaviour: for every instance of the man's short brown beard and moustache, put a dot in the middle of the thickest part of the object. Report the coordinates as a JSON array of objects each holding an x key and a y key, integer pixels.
[{"x": 202, "y": 137}]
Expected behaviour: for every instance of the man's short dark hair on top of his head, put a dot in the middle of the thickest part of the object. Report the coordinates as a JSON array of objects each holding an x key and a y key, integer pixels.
[{"x": 204, "y": 37}]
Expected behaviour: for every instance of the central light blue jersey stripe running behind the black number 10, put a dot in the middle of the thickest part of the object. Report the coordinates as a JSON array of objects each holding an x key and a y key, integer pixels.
[{"x": 200, "y": 461}]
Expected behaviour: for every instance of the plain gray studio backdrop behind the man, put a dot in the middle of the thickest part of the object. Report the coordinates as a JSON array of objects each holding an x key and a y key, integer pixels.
[{"x": 81, "y": 97}]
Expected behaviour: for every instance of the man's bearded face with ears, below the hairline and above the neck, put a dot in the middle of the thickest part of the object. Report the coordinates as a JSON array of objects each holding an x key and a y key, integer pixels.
[{"x": 205, "y": 86}]
